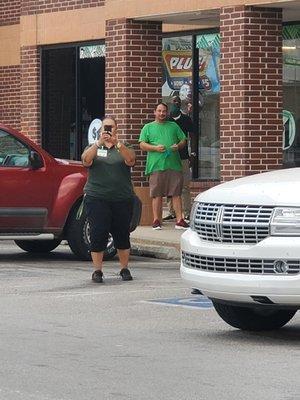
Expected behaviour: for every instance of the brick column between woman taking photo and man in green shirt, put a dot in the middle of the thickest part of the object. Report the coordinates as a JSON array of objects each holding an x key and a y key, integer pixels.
[{"x": 133, "y": 80}]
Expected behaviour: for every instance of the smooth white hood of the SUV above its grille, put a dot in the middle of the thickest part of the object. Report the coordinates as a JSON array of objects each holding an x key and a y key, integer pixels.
[{"x": 279, "y": 188}]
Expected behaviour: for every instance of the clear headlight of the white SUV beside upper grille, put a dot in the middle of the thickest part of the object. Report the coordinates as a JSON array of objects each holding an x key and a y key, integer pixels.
[{"x": 285, "y": 221}]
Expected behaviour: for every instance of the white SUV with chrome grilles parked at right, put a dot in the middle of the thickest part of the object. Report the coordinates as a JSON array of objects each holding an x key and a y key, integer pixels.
[{"x": 243, "y": 249}]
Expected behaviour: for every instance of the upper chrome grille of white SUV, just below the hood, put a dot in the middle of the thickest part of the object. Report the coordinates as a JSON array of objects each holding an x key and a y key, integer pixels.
[{"x": 232, "y": 223}]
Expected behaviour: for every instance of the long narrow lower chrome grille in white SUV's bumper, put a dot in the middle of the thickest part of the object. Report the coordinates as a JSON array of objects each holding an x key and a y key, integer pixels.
[{"x": 236, "y": 265}]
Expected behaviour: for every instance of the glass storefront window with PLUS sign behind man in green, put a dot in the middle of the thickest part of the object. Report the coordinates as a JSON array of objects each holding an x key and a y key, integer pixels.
[{"x": 178, "y": 80}]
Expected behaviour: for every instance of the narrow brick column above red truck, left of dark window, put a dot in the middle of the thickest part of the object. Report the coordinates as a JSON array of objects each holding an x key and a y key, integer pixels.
[{"x": 30, "y": 92}]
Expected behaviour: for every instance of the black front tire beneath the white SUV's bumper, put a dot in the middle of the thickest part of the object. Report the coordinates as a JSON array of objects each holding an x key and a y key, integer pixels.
[{"x": 253, "y": 319}]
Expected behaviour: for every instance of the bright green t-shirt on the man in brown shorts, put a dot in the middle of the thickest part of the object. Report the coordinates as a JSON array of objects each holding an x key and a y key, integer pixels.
[{"x": 167, "y": 134}]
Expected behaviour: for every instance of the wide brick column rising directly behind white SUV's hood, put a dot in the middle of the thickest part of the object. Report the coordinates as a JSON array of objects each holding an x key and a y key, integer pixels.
[{"x": 251, "y": 91}]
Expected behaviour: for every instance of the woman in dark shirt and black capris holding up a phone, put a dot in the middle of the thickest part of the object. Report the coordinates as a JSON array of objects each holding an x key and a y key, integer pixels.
[{"x": 109, "y": 196}]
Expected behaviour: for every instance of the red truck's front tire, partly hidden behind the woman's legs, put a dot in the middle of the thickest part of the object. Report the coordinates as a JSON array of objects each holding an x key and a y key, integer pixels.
[{"x": 78, "y": 238}]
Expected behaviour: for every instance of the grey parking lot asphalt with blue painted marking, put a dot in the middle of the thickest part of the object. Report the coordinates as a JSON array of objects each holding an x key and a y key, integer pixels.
[{"x": 63, "y": 337}]
